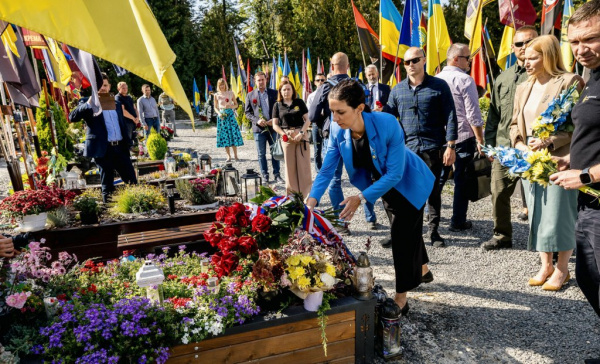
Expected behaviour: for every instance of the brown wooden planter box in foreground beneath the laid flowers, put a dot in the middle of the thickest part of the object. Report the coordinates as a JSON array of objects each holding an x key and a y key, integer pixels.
[{"x": 295, "y": 338}]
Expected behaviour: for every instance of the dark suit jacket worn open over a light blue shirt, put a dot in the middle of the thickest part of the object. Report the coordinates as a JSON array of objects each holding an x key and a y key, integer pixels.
[{"x": 96, "y": 138}]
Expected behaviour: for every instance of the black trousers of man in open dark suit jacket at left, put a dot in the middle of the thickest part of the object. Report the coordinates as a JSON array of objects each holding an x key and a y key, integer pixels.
[{"x": 116, "y": 158}]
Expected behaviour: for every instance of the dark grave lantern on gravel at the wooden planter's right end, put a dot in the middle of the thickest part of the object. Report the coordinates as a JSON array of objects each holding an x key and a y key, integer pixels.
[{"x": 388, "y": 338}]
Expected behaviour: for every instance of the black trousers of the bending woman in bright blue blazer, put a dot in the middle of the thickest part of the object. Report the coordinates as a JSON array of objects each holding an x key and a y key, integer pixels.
[{"x": 408, "y": 247}]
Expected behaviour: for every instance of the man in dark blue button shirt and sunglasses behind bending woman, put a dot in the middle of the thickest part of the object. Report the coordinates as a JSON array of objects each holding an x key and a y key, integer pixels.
[{"x": 425, "y": 108}]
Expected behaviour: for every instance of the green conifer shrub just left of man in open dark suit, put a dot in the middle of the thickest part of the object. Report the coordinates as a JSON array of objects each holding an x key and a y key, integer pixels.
[{"x": 63, "y": 139}]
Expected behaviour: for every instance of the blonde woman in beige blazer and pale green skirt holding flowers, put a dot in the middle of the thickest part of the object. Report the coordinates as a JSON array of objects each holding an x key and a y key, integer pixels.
[{"x": 552, "y": 210}]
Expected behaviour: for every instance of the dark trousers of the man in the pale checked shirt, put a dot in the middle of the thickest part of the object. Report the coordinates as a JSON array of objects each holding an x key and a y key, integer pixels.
[{"x": 465, "y": 151}]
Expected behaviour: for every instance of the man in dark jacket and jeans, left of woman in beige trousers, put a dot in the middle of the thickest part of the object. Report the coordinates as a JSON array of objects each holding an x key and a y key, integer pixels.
[{"x": 258, "y": 108}]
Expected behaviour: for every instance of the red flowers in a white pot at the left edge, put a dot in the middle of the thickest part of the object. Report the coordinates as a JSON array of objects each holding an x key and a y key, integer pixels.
[{"x": 31, "y": 206}]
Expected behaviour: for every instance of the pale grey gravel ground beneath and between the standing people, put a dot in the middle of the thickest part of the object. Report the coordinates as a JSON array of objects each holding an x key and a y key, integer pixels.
[{"x": 479, "y": 308}]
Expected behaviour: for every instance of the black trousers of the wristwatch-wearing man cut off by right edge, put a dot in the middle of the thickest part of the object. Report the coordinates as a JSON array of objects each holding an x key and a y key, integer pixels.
[{"x": 587, "y": 268}]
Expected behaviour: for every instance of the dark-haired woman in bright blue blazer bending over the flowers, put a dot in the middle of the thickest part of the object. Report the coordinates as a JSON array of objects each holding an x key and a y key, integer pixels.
[{"x": 372, "y": 148}]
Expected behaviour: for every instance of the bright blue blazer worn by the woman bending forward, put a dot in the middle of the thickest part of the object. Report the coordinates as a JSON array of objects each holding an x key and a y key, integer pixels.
[{"x": 400, "y": 168}]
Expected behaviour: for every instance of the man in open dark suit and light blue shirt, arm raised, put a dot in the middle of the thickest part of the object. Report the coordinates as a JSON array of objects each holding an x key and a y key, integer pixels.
[{"x": 107, "y": 140}]
